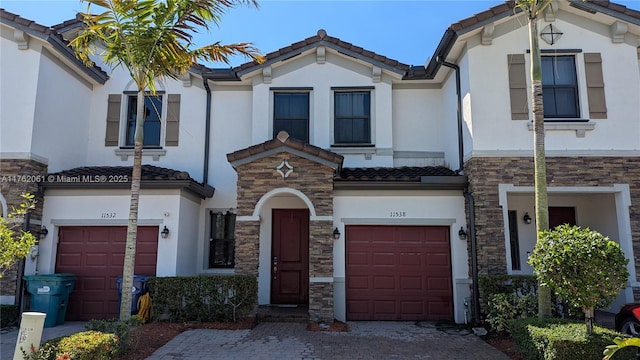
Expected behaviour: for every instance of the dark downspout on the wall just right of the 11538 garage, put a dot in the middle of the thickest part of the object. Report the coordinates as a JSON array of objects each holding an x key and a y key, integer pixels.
[{"x": 469, "y": 198}]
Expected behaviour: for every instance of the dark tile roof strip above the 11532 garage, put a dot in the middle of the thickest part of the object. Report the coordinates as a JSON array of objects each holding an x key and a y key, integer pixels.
[{"x": 120, "y": 177}]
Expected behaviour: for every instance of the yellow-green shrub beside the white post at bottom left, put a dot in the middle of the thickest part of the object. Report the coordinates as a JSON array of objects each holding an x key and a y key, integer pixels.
[{"x": 86, "y": 345}]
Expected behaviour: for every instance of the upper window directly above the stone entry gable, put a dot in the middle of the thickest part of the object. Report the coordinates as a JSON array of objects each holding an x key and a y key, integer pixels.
[{"x": 291, "y": 114}]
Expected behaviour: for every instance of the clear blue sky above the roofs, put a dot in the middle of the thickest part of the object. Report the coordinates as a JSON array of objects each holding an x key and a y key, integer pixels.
[{"x": 407, "y": 31}]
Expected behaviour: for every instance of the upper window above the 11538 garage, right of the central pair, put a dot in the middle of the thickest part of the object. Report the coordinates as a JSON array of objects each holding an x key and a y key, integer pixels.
[{"x": 352, "y": 118}]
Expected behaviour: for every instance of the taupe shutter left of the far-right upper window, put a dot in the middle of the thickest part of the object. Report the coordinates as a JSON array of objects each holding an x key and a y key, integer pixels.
[{"x": 518, "y": 87}]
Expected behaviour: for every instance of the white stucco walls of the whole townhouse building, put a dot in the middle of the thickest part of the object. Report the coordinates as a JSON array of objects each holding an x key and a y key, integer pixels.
[{"x": 55, "y": 112}]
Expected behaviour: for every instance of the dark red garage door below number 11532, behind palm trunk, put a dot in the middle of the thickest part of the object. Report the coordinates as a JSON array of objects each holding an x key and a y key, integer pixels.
[{"x": 95, "y": 255}]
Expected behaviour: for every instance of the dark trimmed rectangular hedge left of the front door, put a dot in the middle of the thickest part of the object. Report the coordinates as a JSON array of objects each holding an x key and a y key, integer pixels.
[{"x": 203, "y": 298}]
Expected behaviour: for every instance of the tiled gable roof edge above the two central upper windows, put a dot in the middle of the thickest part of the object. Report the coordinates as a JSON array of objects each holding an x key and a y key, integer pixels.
[{"x": 321, "y": 38}]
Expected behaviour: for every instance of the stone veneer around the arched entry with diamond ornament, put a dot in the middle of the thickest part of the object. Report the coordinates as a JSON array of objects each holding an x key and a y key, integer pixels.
[{"x": 257, "y": 178}]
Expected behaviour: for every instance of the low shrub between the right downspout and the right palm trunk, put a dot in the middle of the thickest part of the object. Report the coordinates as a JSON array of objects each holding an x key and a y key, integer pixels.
[{"x": 505, "y": 307}]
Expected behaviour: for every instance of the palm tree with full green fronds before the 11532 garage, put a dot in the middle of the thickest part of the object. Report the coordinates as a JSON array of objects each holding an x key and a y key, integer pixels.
[{"x": 152, "y": 39}]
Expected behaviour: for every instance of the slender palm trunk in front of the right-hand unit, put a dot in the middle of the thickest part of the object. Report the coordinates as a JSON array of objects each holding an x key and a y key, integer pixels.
[{"x": 533, "y": 8}]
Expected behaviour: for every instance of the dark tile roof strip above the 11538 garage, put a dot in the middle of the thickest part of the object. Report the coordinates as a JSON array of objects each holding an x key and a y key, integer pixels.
[{"x": 402, "y": 174}]
